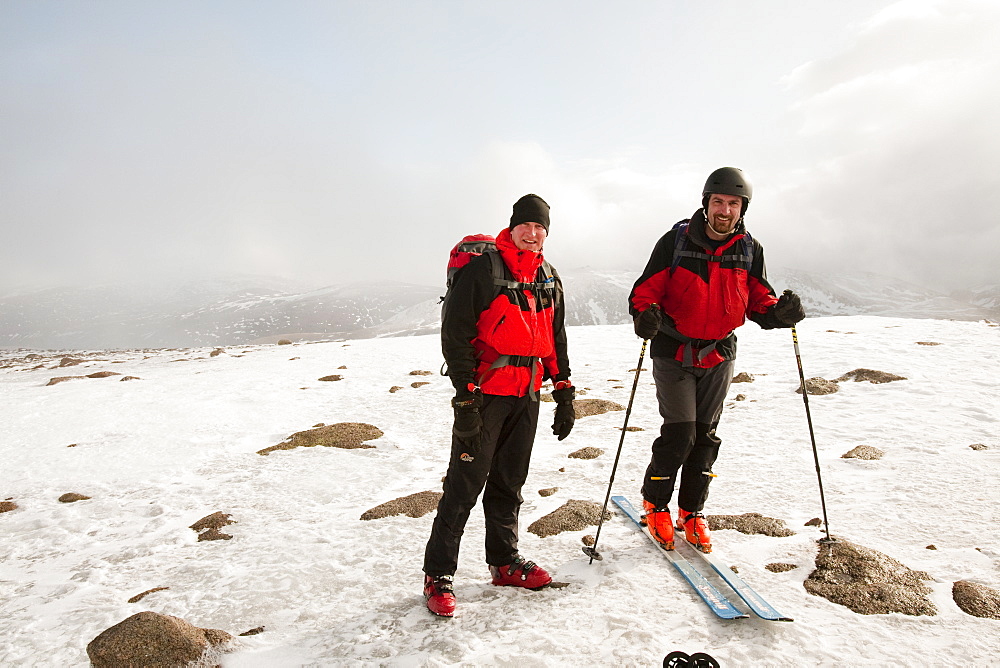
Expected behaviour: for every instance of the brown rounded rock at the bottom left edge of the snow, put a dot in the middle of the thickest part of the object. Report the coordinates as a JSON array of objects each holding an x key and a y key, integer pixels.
[{"x": 153, "y": 640}]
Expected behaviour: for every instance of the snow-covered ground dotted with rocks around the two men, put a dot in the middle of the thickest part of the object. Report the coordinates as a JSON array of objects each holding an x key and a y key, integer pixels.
[{"x": 159, "y": 453}]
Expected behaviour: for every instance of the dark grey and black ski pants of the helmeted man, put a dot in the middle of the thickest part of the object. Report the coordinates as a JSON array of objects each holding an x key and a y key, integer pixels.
[{"x": 690, "y": 402}]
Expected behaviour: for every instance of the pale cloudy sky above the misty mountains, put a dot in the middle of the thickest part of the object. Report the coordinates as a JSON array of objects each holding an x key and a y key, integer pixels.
[{"x": 342, "y": 142}]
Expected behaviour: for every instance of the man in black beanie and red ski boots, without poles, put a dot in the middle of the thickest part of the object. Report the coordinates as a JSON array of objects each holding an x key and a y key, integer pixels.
[{"x": 502, "y": 334}]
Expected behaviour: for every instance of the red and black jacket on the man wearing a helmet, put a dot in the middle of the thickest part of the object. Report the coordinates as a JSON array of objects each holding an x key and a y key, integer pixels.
[{"x": 704, "y": 300}]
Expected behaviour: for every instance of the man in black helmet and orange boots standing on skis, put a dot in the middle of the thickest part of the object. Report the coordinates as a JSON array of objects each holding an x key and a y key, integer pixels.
[{"x": 704, "y": 278}]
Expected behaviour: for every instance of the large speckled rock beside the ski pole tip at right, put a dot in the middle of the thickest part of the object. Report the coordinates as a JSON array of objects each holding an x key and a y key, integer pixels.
[{"x": 868, "y": 582}]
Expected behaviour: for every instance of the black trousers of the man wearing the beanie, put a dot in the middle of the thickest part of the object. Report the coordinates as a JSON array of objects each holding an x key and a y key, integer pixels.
[{"x": 501, "y": 466}]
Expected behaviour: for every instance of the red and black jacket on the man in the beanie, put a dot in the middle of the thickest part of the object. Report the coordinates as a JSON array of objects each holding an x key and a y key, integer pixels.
[{"x": 477, "y": 327}]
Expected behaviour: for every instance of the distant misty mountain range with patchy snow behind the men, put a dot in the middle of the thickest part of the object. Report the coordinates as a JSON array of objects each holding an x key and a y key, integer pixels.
[{"x": 243, "y": 310}]
